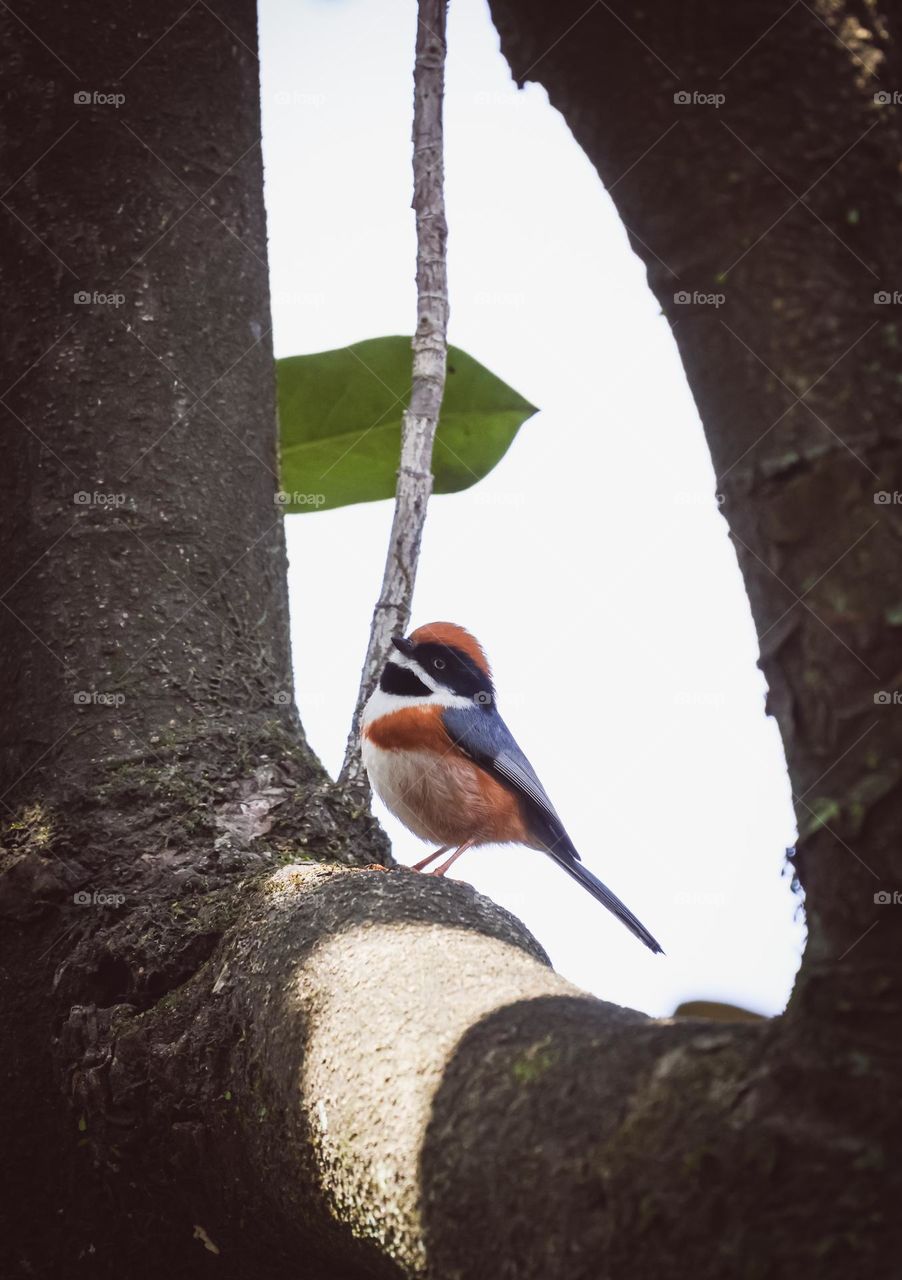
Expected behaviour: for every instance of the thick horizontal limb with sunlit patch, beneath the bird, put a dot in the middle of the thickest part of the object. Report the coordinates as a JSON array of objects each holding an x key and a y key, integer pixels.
[{"x": 382, "y": 1071}]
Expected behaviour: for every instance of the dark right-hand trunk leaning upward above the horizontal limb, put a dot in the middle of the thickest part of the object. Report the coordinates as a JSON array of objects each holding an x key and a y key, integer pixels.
[{"x": 782, "y": 203}]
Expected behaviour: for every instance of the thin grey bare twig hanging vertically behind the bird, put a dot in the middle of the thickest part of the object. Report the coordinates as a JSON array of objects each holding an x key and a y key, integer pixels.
[{"x": 431, "y": 355}]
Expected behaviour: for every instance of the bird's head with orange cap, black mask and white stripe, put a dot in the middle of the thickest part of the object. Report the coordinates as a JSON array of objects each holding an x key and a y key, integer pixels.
[{"x": 438, "y": 660}]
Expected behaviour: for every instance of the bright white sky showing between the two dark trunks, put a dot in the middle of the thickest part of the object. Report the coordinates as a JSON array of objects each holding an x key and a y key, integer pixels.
[{"x": 593, "y": 564}]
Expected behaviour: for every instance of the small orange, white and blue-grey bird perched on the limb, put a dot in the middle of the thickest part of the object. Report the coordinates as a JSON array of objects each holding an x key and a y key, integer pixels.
[{"x": 445, "y": 762}]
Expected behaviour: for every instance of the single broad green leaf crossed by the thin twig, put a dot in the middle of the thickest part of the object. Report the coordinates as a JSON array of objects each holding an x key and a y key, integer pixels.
[{"x": 340, "y": 422}]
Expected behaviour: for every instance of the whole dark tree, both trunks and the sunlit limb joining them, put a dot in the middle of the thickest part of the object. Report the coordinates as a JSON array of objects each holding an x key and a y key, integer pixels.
[{"x": 230, "y": 1063}]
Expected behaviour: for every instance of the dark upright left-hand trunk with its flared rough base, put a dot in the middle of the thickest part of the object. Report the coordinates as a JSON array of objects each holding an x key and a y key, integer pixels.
[{"x": 149, "y": 733}]
